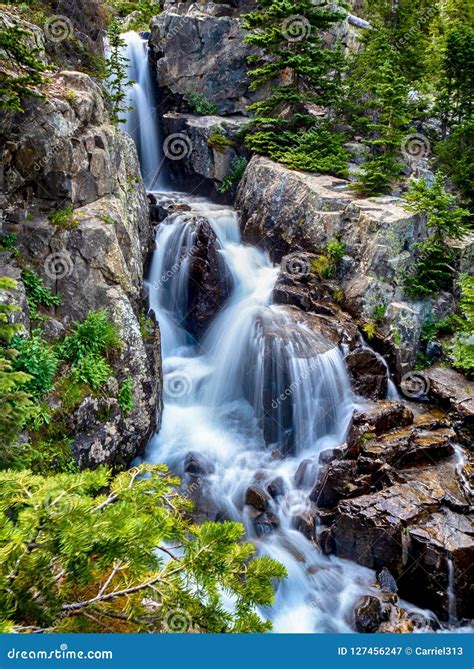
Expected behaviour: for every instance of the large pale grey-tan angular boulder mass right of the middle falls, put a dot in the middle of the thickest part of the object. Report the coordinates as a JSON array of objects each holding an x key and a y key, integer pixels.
[{"x": 288, "y": 212}]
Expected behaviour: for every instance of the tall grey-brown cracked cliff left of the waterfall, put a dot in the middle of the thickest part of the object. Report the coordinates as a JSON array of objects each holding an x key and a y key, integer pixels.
[{"x": 63, "y": 153}]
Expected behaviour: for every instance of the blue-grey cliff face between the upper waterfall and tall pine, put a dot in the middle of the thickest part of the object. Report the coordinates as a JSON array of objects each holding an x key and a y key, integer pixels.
[{"x": 202, "y": 50}]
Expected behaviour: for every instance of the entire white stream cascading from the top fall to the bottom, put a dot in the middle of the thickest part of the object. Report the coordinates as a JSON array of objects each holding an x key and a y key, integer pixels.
[{"x": 258, "y": 395}]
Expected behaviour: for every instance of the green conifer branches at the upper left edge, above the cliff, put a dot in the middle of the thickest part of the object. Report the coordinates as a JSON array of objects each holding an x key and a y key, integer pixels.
[{"x": 21, "y": 68}]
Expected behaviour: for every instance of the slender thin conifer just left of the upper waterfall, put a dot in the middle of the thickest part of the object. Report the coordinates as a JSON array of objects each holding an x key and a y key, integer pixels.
[{"x": 116, "y": 70}]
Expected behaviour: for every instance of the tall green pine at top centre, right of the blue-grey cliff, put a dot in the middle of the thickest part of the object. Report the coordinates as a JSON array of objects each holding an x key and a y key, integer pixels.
[{"x": 295, "y": 71}]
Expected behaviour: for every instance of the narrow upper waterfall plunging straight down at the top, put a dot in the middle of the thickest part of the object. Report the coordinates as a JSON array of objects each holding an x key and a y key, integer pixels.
[{"x": 142, "y": 123}]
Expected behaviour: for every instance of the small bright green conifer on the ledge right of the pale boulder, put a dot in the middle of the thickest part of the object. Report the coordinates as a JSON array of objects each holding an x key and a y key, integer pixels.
[{"x": 433, "y": 269}]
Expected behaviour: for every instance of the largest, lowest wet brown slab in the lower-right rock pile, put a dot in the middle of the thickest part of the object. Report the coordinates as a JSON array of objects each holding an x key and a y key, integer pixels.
[{"x": 411, "y": 528}]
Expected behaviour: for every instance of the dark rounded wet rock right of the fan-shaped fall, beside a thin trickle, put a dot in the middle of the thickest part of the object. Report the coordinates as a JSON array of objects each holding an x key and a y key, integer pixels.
[{"x": 368, "y": 373}]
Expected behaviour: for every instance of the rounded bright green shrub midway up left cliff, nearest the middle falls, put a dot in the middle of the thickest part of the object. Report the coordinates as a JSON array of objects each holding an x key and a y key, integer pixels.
[{"x": 96, "y": 336}]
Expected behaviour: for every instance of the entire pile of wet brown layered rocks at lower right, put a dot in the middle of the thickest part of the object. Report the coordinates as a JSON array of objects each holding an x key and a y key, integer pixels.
[{"x": 403, "y": 505}]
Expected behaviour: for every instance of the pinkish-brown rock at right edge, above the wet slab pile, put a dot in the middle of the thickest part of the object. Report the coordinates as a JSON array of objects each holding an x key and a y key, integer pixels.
[{"x": 453, "y": 389}]
